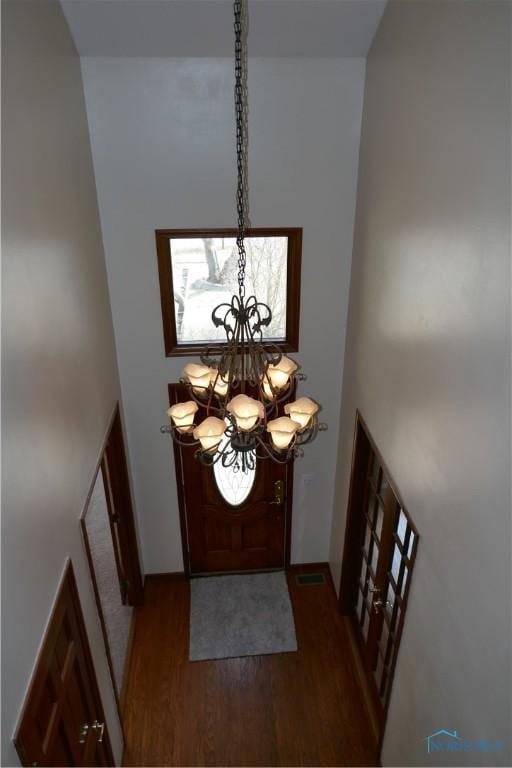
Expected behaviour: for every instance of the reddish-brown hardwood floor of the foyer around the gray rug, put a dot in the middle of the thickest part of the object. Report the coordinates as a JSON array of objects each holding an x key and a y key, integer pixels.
[{"x": 292, "y": 709}]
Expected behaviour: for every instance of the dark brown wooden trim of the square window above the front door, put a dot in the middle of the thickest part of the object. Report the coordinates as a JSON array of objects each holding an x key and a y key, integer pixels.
[{"x": 163, "y": 248}]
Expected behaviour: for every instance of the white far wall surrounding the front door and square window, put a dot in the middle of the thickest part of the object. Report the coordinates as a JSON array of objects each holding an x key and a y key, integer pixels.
[{"x": 162, "y": 133}]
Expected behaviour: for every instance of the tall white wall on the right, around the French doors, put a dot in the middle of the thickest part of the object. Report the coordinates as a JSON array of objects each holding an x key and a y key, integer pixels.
[{"x": 428, "y": 357}]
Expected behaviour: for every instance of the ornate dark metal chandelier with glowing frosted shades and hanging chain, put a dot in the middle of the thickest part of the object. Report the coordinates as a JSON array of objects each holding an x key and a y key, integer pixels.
[{"x": 245, "y": 389}]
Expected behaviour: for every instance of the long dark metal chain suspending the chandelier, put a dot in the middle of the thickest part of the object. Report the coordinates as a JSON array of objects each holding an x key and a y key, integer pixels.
[{"x": 241, "y": 135}]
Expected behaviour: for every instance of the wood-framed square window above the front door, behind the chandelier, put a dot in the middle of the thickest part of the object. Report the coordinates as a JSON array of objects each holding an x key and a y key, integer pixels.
[{"x": 198, "y": 270}]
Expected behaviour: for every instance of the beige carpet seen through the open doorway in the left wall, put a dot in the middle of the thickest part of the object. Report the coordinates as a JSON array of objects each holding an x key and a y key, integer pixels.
[{"x": 117, "y": 616}]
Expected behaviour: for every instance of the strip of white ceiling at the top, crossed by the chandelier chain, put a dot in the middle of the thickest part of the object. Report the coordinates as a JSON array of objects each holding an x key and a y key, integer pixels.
[{"x": 278, "y": 28}]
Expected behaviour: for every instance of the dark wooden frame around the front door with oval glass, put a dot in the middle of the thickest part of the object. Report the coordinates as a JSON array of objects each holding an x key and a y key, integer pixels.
[{"x": 174, "y": 390}]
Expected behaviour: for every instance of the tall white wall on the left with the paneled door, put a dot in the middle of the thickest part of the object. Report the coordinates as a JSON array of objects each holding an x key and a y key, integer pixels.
[{"x": 60, "y": 379}]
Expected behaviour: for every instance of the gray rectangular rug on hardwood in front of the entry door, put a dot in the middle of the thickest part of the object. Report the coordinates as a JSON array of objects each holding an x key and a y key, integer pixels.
[{"x": 240, "y": 615}]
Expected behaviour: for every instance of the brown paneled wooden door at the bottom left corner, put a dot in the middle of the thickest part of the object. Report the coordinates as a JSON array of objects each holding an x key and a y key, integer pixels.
[{"x": 63, "y": 723}]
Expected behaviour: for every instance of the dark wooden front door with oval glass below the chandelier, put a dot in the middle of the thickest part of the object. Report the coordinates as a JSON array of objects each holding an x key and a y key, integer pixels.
[{"x": 232, "y": 522}]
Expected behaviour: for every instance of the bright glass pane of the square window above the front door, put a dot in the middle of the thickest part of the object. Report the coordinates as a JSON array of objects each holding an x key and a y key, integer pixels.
[{"x": 204, "y": 274}]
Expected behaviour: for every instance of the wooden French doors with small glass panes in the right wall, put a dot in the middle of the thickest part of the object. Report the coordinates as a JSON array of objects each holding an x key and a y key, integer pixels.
[{"x": 380, "y": 548}]
